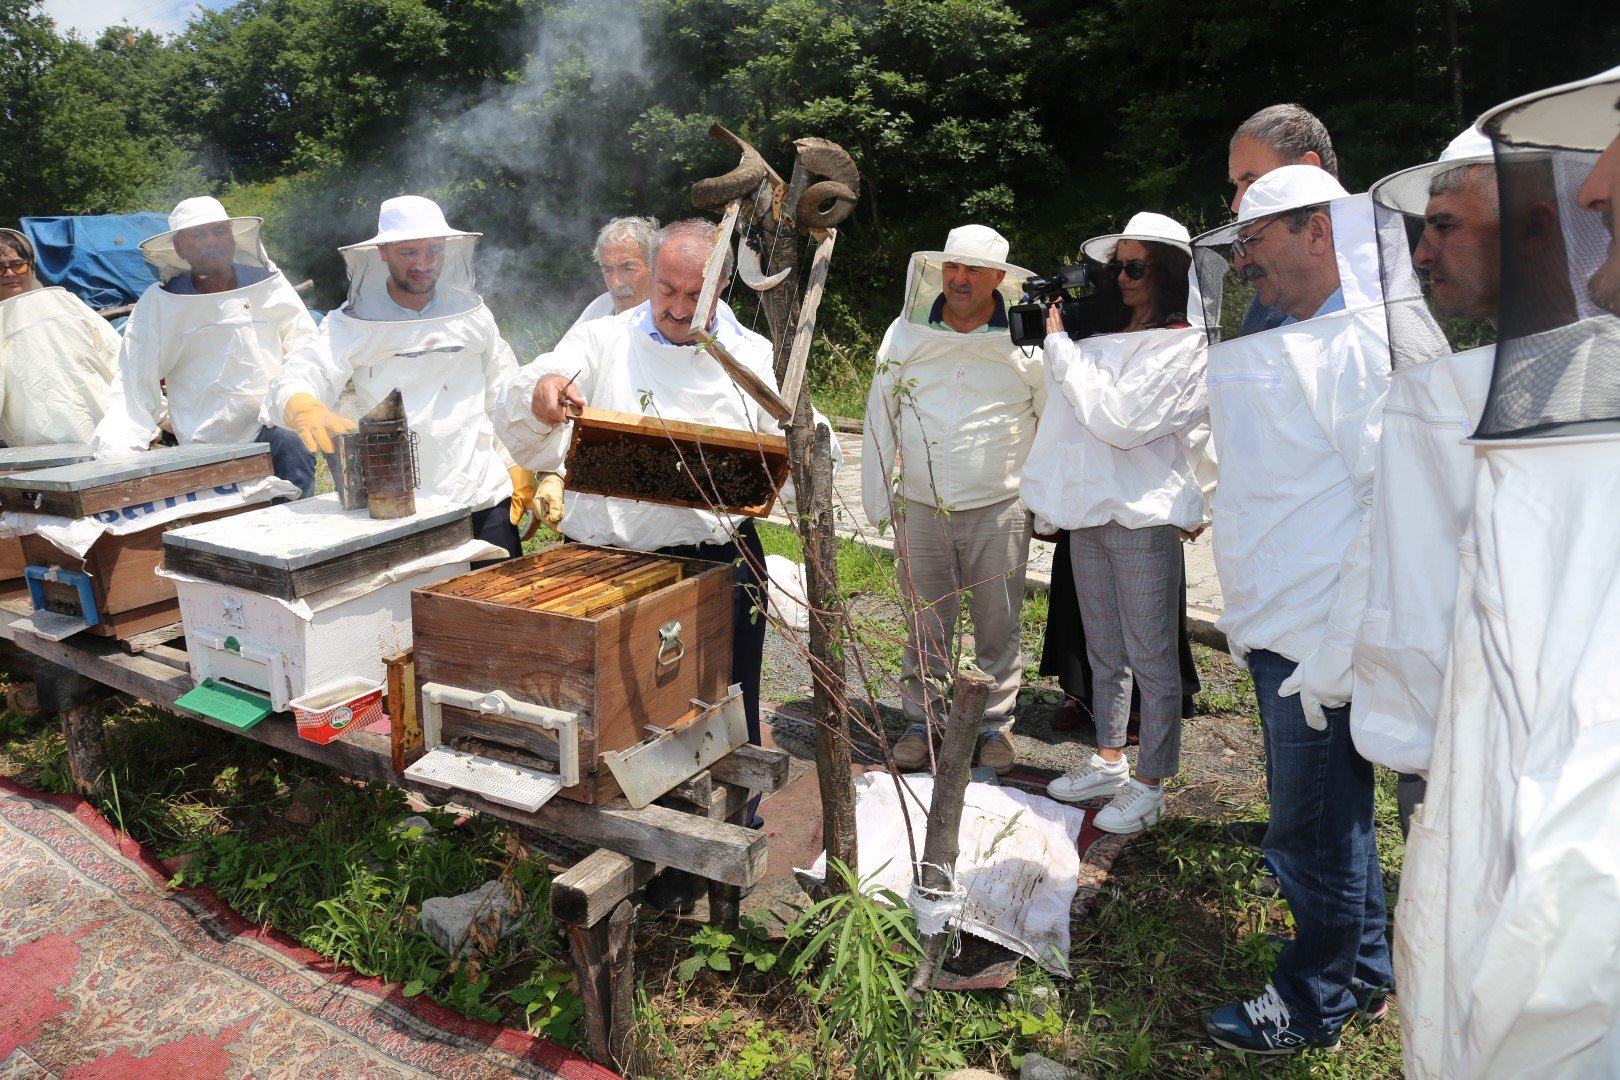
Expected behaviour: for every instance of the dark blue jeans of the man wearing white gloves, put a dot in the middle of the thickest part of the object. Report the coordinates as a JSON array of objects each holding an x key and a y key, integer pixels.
[{"x": 1324, "y": 853}]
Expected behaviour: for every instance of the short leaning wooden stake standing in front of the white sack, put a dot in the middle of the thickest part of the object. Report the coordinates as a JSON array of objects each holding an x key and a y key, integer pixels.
[{"x": 970, "y": 694}]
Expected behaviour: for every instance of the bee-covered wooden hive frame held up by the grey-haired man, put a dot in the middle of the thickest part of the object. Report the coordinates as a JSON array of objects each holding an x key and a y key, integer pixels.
[{"x": 675, "y": 462}]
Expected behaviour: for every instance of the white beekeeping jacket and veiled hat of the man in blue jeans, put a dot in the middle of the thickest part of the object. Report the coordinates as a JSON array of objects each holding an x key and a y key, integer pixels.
[{"x": 1305, "y": 401}]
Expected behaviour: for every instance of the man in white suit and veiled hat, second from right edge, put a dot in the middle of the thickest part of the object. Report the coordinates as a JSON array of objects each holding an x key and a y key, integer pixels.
[{"x": 1425, "y": 493}]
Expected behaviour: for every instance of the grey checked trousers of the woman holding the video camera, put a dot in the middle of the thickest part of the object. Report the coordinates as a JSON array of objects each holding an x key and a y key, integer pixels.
[{"x": 1130, "y": 589}]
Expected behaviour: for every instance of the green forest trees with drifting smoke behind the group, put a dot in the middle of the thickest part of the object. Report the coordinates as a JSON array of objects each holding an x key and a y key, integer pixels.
[{"x": 535, "y": 121}]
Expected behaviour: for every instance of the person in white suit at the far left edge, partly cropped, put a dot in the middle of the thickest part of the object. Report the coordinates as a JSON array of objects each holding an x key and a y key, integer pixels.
[{"x": 58, "y": 357}]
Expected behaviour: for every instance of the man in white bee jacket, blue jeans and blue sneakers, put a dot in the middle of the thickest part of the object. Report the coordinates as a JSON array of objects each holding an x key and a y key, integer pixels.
[{"x": 1295, "y": 415}]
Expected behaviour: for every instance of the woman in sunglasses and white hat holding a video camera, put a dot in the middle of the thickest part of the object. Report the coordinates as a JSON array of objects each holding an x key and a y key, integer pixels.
[{"x": 1115, "y": 469}]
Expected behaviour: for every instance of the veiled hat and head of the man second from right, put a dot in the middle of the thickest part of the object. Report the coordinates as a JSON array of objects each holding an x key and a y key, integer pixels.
[{"x": 1439, "y": 253}]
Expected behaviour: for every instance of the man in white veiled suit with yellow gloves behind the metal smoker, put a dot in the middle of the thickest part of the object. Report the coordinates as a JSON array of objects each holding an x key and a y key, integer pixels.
[{"x": 414, "y": 323}]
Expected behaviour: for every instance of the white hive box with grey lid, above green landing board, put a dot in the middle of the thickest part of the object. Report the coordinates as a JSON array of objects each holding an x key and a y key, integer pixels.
[{"x": 312, "y": 551}]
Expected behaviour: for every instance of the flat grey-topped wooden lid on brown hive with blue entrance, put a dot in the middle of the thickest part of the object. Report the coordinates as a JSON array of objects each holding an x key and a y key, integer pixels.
[{"x": 88, "y": 488}]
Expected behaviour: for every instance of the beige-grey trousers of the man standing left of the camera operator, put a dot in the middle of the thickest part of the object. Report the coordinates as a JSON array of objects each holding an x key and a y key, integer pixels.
[{"x": 944, "y": 555}]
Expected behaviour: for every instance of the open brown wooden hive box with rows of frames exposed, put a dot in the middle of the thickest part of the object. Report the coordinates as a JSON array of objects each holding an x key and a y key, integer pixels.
[{"x": 579, "y": 629}]
